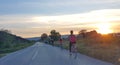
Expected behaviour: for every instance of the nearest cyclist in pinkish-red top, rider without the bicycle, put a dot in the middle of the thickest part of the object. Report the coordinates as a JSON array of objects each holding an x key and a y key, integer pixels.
[{"x": 72, "y": 40}]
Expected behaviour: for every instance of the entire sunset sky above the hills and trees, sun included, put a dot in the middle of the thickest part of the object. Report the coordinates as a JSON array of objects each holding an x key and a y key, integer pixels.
[{"x": 31, "y": 18}]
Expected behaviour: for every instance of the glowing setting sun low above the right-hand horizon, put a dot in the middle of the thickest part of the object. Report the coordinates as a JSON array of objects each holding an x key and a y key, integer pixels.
[{"x": 104, "y": 28}]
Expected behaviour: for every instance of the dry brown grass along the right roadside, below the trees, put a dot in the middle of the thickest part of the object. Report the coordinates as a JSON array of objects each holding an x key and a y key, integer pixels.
[{"x": 105, "y": 48}]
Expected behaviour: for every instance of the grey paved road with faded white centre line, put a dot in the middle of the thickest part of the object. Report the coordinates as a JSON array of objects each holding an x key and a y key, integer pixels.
[{"x": 42, "y": 54}]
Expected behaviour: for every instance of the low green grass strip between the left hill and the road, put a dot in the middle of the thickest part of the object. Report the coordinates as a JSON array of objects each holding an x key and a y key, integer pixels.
[{"x": 5, "y": 51}]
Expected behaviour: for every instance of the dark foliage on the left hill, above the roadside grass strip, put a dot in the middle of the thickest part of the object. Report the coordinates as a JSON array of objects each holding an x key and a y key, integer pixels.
[{"x": 8, "y": 40}]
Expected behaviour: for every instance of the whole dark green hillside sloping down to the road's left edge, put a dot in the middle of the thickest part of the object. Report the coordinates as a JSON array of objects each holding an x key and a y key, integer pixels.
[{"x": 10, "y": 43}]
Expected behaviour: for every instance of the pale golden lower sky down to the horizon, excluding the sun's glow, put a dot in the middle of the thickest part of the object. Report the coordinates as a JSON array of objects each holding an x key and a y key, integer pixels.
[{"x": 37, "y": 24}]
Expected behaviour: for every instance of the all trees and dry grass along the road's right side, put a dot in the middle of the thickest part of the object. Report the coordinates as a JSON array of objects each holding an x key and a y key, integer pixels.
[{"x": 103, "y": 47}]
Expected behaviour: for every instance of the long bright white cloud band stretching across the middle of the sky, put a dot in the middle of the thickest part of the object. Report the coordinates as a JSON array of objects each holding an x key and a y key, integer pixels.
[{"x": 95, "y": 16}]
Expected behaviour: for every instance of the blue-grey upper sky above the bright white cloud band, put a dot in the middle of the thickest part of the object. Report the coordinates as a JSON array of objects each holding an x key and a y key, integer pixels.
[{"x": 55, "y": 7}]
